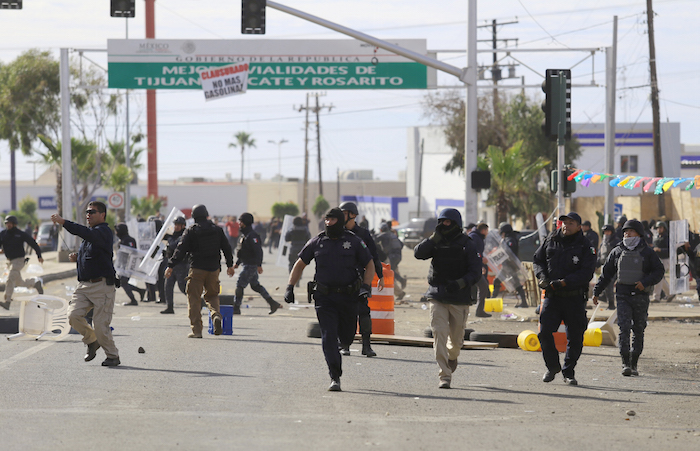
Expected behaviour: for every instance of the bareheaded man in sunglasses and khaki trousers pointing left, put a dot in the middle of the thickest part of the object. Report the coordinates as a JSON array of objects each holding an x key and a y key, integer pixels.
[{"x": 96, "y": 282}]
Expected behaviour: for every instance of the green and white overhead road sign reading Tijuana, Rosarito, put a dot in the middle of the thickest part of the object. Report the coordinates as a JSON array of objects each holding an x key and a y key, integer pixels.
[{"x": 274, "y": 64}]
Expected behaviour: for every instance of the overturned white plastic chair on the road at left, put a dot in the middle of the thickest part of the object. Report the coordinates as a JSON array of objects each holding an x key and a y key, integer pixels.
[{"x": 43, "y": 316}]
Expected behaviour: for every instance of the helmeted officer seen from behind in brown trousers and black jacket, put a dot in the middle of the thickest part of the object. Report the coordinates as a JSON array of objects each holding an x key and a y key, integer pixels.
[{"x": 203, "y": 242}]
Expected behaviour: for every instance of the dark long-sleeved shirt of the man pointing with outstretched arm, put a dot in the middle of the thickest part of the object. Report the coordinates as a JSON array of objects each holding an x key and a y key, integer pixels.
[{"x": 96, "y": 251}]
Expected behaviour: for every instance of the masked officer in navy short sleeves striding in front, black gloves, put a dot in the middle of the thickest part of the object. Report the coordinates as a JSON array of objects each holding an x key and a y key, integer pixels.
[{"x": 338, "y": 253}]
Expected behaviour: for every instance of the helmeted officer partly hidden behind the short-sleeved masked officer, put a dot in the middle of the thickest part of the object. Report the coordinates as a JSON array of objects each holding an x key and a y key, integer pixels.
[{"x": 349, "y": 209}]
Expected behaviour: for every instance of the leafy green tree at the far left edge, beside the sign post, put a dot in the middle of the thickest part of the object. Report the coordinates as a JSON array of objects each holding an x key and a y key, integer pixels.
[{"x": 29, "y": 102}]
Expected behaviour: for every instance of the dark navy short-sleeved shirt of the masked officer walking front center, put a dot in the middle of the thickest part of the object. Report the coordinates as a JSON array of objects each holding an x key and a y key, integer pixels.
[{"x": 336, "y": 260}]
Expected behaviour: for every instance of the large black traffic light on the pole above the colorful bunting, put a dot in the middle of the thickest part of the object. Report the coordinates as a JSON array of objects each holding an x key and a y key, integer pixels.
[{"x": 557, "y": 103}]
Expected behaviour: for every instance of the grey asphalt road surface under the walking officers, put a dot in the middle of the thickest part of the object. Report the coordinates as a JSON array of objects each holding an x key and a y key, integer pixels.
[{"x": 264, "y": 388}]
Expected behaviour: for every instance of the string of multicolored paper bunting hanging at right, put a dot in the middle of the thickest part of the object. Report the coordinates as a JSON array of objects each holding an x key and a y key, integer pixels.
[{"x": 659, "y": 185}]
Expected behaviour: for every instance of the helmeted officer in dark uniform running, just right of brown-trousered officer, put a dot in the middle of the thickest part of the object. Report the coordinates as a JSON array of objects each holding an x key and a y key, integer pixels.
[{"x": 250, "y": 256}]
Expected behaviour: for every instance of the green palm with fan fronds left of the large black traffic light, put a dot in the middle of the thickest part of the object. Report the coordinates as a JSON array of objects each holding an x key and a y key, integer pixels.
[{"x": 513, "y": 179}]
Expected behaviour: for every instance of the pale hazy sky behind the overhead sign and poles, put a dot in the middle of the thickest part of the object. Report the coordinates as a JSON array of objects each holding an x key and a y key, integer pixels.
[{"x": 368, "y": 129}]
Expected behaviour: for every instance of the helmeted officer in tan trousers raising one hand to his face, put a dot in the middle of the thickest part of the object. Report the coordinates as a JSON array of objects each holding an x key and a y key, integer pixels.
[{"x": 455, "y": 267}]
